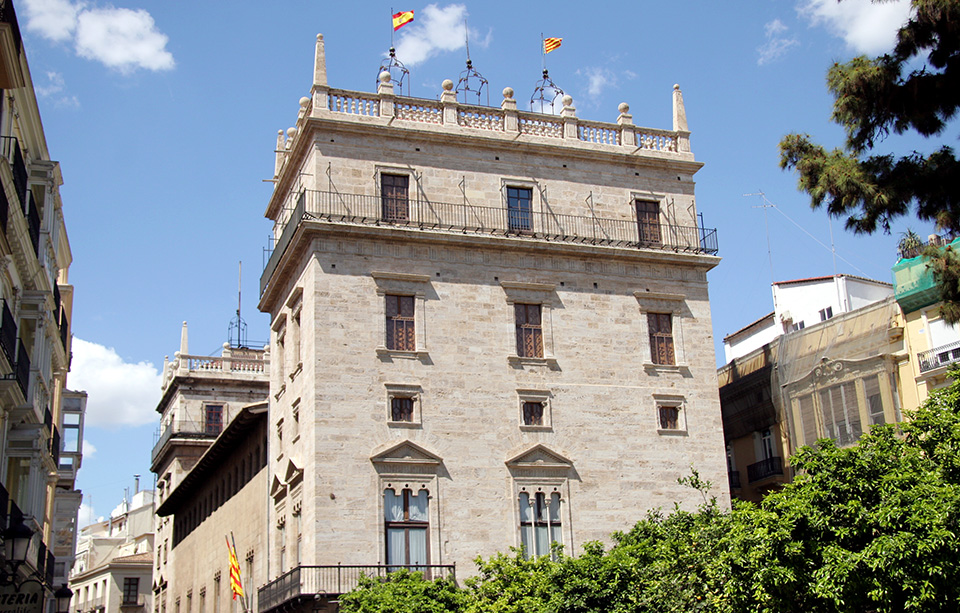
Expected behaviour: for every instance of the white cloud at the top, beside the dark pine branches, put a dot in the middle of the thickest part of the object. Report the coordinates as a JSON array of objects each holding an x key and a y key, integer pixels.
[{"x": 865, "y": 26}]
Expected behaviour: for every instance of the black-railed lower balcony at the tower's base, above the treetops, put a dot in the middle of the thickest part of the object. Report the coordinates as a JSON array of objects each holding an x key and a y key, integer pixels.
[{"x": 312, "y": 581}]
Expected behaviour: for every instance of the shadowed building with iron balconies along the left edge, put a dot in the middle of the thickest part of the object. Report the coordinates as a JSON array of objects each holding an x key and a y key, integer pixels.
[{"x": 37, "y": 306}]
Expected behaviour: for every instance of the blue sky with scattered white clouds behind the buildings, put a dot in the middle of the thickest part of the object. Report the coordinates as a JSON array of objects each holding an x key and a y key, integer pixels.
[{"x": 164, "y": 118}]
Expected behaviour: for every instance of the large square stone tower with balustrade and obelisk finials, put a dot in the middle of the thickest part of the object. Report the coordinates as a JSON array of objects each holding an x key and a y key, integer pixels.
[{"x": 477, "y": 304}]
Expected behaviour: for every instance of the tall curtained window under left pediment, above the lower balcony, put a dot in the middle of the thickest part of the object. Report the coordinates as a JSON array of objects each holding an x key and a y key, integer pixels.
[{"x": 406, "y": 522}]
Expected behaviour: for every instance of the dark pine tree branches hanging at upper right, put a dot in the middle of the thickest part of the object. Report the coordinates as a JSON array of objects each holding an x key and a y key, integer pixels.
[{"x": 915, "y": 89}]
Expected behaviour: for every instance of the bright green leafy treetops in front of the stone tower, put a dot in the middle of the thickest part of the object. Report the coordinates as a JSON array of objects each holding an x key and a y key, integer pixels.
[{"x": 867, "y": 528}]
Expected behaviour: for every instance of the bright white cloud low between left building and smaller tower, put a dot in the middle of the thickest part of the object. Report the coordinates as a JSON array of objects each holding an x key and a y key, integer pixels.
[{"x": 121, "y": 393}]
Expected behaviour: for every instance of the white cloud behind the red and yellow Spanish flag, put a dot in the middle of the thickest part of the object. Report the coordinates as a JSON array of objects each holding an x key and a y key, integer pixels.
[{"x": 435, "y": 30}]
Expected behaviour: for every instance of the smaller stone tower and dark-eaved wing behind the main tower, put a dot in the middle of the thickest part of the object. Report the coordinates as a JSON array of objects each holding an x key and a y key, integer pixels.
[{"x": 210, "y": 457}]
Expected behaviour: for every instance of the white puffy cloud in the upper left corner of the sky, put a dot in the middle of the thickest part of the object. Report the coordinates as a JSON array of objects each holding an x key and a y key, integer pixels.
[{"x": 120, "y": 38}]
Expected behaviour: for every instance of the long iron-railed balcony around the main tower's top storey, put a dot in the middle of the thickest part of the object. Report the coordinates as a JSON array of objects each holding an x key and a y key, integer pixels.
[{"x": 426, "y": 216}]
